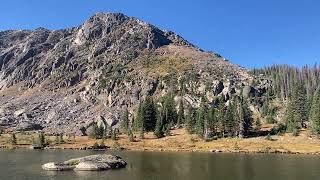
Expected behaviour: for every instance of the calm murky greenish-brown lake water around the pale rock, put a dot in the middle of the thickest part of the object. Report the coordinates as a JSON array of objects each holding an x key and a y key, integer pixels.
[{"x": 26, "y": 165}]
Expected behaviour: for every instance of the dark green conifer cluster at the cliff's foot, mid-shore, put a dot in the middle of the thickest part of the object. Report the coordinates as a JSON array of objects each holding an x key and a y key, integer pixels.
[{"x": 230, "y": 119}]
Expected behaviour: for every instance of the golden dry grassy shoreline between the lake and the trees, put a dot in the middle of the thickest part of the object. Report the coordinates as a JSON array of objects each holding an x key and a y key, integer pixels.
[{"x": 181, "y": 141}]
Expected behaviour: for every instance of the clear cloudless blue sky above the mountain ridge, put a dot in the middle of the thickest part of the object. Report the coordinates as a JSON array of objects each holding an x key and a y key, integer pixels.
[{"x": 252, "y": 33}]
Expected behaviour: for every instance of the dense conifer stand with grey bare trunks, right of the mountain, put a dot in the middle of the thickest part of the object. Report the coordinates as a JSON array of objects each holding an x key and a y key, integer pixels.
[{"x": 299, "y": 91}]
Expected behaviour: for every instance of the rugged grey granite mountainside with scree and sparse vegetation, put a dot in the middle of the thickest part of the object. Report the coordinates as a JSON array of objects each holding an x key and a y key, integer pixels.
[{"x": 63, "y": 80}]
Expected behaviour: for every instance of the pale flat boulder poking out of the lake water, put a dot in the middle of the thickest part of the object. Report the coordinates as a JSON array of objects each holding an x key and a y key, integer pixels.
[{"x": 89, "y": 163}]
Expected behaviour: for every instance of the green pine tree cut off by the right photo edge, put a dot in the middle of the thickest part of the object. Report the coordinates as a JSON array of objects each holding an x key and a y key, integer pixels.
[{"x": 314, "y": 117}]
